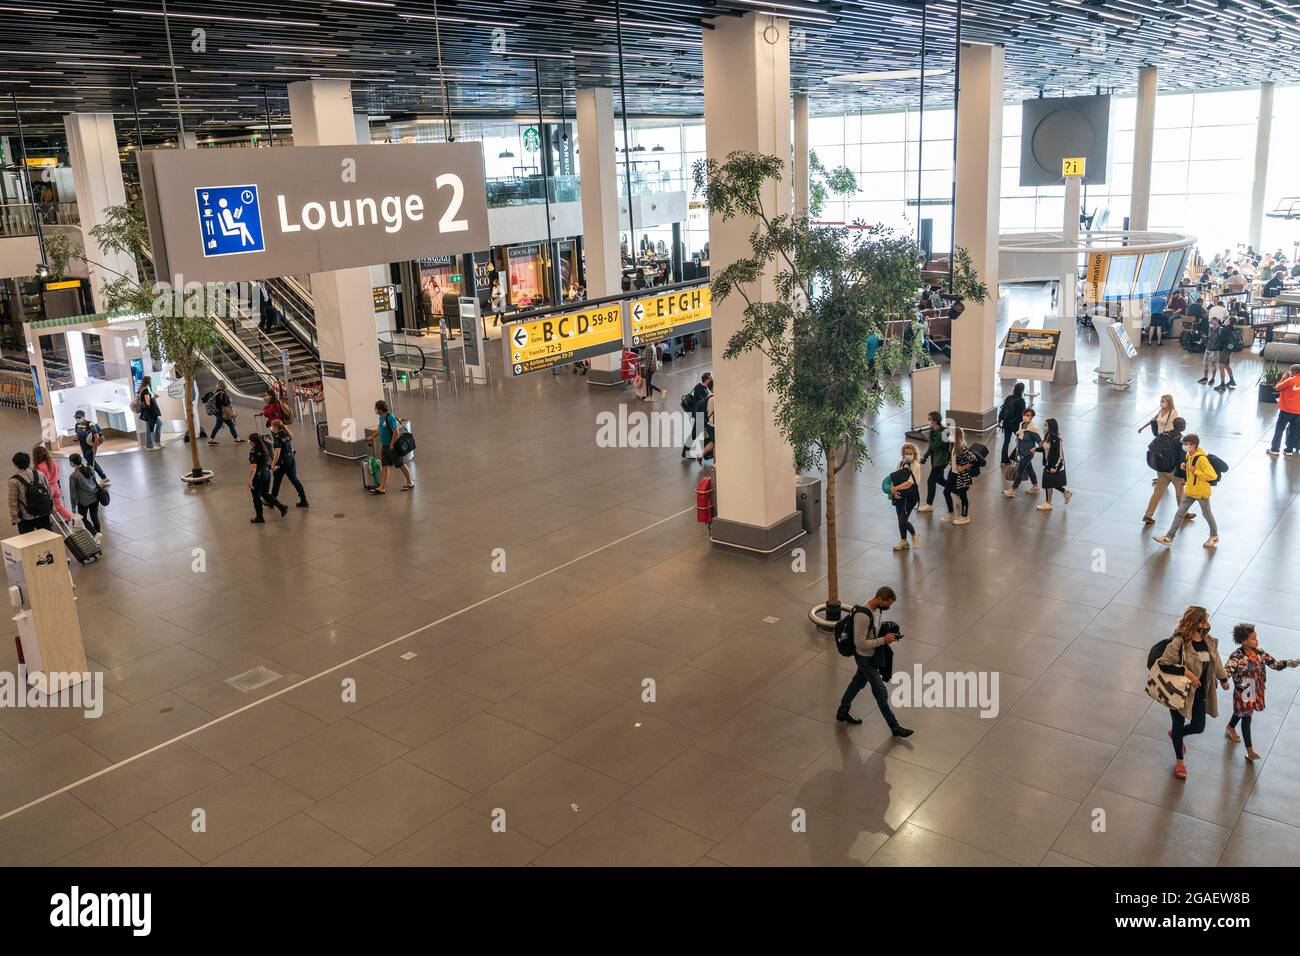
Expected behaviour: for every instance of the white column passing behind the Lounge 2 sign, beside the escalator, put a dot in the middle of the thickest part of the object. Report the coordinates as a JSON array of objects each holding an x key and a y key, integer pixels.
[{"x": 322, "y": 114}]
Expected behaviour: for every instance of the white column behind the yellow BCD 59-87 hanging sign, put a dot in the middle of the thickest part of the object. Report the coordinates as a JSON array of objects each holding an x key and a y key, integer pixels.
[{"x": 601, "y": 206}]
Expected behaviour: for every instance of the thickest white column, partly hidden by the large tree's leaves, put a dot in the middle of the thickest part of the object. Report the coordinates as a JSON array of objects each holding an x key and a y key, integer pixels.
[{"x": 748, "y": 107}]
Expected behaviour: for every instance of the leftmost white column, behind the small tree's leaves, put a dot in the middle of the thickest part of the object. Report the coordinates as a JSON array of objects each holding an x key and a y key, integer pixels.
[{"x": 98, "y": 178}]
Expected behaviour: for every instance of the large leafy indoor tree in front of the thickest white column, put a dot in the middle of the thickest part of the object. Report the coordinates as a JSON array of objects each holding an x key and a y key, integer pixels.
[{"x": 835, "y": 287}]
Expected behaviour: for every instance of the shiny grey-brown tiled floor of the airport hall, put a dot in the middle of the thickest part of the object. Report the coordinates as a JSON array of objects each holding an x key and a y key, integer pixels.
[{"x": 523, "y": 730}]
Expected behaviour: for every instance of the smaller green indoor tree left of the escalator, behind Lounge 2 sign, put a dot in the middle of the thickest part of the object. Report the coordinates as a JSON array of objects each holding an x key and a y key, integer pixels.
[{"x": 180, "y": 328}]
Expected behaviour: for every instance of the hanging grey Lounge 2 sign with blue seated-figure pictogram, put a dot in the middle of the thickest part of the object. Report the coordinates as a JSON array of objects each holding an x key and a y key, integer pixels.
[{"x": 231, "y": 215}]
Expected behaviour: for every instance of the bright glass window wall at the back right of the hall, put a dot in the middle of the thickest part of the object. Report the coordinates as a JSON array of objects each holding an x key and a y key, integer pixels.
[{"x": 1202, "y": 175}]
